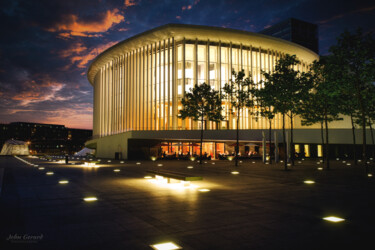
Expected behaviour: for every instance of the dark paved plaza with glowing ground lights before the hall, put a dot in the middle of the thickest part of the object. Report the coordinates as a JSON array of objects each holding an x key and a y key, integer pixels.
[{"x": 260, "y": 207}]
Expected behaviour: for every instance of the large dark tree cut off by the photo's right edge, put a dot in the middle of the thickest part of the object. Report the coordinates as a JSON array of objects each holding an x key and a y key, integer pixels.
[{"x": 354, "y": 62}]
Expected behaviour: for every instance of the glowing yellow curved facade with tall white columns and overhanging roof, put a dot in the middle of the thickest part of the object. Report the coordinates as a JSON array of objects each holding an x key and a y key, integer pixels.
[{"x": 139, "y": 83}]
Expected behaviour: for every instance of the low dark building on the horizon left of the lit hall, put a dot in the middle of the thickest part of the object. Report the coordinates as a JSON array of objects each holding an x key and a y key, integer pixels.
[{"x": 46, "y": 138}]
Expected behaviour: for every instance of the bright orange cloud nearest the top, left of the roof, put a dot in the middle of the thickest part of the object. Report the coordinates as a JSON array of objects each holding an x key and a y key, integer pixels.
[{"x": 73, "y": 26}]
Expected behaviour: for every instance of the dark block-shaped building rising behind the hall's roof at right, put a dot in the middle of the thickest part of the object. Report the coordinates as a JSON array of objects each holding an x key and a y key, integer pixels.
[{"x": 296, "y": 31}]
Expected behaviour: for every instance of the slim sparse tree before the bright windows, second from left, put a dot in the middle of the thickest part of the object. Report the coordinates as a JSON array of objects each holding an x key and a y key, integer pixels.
[{"x": 238, "y": 93}]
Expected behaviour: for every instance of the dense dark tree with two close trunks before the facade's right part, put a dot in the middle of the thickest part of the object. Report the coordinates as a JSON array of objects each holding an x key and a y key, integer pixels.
[{"x": 285, "y": 87}]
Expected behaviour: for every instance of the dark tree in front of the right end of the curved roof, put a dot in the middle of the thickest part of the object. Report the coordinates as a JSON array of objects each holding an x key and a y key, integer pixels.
[{"x": 322, "y": 103}]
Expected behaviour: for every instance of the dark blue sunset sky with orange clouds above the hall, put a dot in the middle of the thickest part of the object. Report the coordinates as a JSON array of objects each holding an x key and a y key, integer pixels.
[{"x": 46, "y": 46}]
